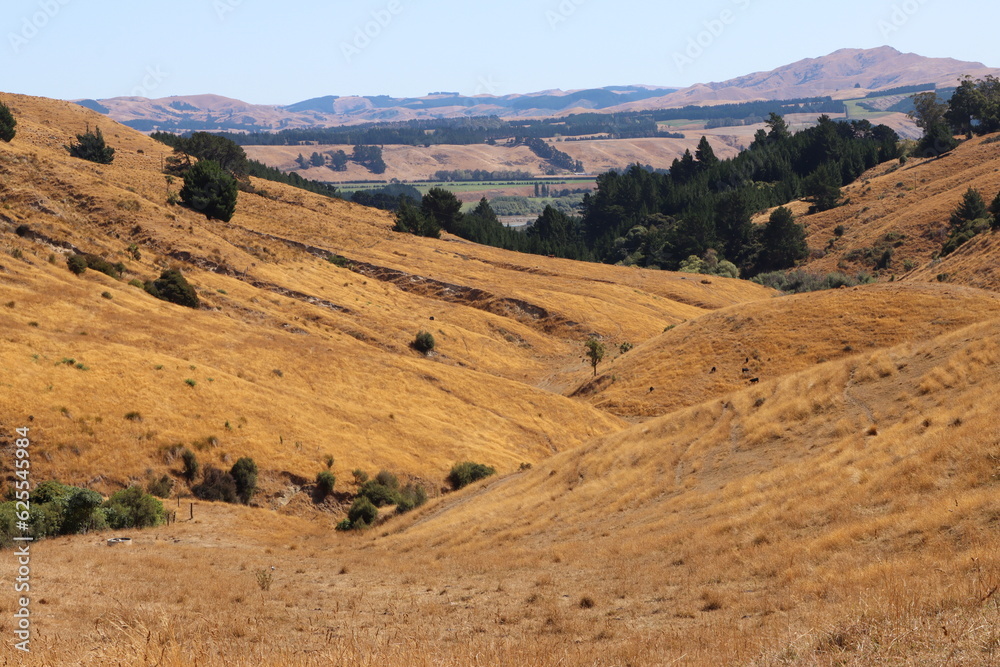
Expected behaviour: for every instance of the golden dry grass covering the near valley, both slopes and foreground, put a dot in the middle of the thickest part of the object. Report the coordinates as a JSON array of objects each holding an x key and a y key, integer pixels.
[{"x": 839, "y": 511}]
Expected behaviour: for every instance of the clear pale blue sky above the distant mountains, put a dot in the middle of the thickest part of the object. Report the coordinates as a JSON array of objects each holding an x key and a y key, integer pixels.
[{"x": 267, "y": 52}]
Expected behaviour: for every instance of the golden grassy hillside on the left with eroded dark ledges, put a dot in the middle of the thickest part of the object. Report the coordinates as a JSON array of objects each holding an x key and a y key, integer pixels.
[{"x": 292, "y": 357}]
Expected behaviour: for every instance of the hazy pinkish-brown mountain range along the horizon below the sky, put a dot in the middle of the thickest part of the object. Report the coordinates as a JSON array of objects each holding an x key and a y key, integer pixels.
[{"x": 844, "y": 74}]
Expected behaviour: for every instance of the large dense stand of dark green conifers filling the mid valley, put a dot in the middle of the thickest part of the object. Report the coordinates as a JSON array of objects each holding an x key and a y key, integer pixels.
[{"x": 702, "y": 208}]
